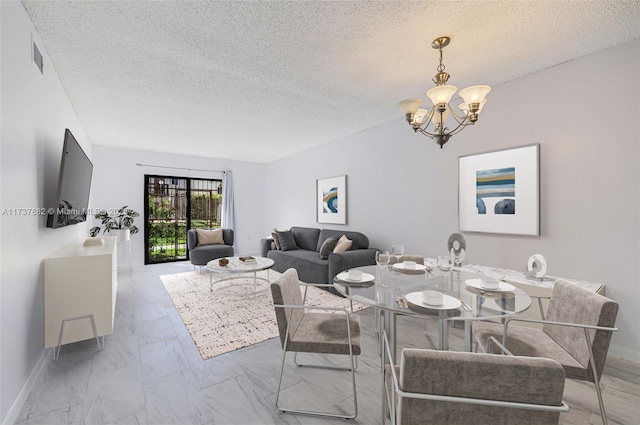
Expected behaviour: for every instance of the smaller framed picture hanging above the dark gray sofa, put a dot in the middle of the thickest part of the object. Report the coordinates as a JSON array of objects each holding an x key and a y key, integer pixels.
[{"x": 331, "y": 200}]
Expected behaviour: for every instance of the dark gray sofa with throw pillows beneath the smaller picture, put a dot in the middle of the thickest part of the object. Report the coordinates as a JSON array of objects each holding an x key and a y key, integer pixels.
[{"x": 306, "y": 259}]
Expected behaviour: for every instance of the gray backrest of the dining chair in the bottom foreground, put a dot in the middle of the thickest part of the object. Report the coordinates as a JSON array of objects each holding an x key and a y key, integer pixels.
[{"x": 473, "y": 375}]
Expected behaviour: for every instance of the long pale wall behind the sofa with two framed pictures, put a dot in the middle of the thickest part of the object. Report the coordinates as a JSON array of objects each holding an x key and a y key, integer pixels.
[{"x": 403, "y": 189}]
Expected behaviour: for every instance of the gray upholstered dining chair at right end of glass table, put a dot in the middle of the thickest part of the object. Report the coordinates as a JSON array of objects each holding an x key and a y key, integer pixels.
[{"x": 576, "y": 332}]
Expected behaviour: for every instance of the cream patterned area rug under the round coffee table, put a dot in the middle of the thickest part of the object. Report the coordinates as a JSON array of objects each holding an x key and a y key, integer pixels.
[{"x": 219, "y": 323}]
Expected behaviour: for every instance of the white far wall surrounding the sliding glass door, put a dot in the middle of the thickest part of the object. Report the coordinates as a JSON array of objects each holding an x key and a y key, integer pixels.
[{"x": 118, "y": 181}]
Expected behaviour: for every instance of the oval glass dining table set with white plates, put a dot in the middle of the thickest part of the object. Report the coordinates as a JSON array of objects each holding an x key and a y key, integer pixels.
[{"x": 396, "y": 290}]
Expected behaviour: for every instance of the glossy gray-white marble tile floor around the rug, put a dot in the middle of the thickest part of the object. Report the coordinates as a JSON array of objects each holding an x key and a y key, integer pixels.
[{"x": 150, "y": 372}]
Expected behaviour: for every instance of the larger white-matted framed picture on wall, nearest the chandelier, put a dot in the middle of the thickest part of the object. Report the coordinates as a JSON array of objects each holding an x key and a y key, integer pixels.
[{"x": 498, "y": 191}]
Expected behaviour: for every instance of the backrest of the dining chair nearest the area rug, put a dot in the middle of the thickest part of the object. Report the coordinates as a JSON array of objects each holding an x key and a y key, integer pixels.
[{"x": 286, "y": 291}]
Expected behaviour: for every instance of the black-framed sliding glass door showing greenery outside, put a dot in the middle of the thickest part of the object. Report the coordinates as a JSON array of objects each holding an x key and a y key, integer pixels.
[{"x": 173, "y": 205}]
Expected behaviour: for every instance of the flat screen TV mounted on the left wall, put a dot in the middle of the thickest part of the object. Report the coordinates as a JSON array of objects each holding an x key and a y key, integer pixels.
[{"x": 74, "y": 184}]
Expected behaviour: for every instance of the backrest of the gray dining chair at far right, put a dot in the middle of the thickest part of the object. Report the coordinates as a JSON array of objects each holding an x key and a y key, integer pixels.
[{"x": 570, "y": 303}]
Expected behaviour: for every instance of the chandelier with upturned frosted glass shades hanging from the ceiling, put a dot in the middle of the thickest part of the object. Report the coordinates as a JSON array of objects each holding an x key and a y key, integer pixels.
[{"x": 432, "y": 122}]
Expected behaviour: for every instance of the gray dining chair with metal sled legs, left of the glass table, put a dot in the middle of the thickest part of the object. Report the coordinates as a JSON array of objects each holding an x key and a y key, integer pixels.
[{"x": 327, "y": 330}]
